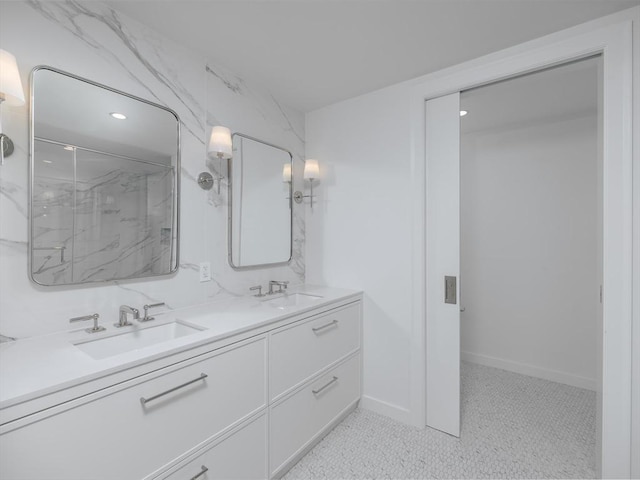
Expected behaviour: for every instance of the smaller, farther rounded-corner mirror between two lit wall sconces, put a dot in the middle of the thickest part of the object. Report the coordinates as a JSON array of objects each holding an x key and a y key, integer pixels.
[{"x": 260, "y": 215}]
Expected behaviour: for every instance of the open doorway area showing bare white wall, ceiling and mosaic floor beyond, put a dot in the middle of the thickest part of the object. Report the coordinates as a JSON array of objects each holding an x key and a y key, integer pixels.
[{"x": 531, "y": 267}]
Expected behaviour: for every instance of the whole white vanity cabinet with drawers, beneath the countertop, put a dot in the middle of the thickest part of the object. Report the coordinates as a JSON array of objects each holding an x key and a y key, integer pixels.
[{"x": 248, "y": 405}]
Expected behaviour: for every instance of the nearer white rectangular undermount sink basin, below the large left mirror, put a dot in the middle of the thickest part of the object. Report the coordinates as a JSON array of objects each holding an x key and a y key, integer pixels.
[{"x": 135, "y": 338}]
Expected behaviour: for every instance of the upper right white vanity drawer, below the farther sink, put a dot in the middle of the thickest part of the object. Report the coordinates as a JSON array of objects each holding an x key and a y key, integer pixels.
[{"x": 299, "y": 351}]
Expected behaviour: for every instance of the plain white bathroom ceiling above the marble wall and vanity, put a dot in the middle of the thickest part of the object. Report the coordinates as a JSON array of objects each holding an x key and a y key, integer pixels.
[{"x": 312, "y": 53}]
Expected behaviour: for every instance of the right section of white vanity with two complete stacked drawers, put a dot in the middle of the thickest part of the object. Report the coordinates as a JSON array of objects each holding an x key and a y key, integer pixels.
[{"x": 317, "y": 364}]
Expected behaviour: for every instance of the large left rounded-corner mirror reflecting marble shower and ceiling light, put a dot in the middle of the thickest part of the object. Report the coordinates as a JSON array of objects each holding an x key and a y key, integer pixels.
[{"x": 104, "y": 183}]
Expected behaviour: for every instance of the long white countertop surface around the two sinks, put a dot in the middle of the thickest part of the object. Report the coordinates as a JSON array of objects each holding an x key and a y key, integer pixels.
[{"x": 37, "y": 366}]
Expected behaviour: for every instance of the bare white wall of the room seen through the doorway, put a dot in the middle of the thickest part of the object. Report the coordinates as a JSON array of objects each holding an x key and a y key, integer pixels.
[{"x": 529, "y": 280}]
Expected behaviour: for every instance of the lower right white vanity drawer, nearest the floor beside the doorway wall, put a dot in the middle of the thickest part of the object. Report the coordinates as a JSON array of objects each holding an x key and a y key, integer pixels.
[{"x": 299, "y": 419}]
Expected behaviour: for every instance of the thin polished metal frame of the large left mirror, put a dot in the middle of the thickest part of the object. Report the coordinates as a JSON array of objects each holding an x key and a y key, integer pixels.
[{"x": 176, "y": 198}]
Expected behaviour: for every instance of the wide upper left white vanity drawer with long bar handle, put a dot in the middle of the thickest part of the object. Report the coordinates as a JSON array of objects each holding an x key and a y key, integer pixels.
[{"x": 141, "y": 437}]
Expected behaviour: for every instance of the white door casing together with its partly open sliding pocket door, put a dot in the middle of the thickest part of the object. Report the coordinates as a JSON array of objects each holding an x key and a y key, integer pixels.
[{"x": 437, "y": 140}]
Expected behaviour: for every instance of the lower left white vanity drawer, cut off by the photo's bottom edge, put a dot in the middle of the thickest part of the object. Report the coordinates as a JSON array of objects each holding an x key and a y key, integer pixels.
[{"x": 242, "y": 455}]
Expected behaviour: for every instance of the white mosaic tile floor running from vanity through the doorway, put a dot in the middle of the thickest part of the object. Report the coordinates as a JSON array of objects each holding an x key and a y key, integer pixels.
[{"x": 513, "y": 426}]
